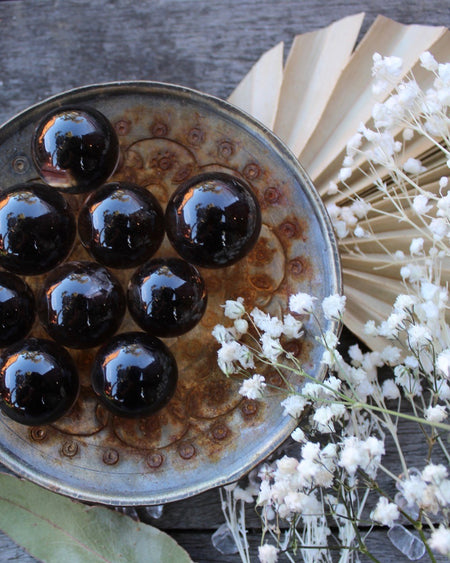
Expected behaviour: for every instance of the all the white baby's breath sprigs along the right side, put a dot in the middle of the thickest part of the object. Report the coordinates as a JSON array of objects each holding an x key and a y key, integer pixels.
[{"x": 350, "y": 410}]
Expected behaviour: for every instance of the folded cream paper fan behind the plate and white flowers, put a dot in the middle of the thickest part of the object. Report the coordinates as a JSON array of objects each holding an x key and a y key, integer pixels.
[{"x": 316, "y": 103}]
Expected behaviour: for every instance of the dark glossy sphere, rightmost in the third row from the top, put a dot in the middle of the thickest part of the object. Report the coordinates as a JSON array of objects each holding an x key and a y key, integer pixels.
[{"x": 167, "y": 297}]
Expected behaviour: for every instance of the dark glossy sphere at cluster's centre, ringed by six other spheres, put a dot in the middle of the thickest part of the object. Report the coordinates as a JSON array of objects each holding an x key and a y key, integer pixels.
[{"x": 81, "y": 304}]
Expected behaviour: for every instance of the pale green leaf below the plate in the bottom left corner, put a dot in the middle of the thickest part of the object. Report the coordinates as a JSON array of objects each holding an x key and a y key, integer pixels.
[{"x": 53, "y": 528}]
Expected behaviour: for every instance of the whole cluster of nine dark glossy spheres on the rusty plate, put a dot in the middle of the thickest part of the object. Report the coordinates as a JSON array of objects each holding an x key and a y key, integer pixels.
[{"x": 212, "y": 220}]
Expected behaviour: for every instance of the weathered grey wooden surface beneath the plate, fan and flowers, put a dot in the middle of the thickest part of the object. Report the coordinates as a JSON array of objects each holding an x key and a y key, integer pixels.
[{"x": 54, "y": 45}]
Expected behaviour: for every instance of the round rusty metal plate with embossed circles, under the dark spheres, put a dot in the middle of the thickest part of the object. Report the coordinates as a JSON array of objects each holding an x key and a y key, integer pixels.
[{"x": 208, "y": 434}]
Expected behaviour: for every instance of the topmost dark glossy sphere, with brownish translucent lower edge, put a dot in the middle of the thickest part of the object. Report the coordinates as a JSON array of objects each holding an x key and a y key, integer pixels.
[{"x": 75, "y": 149}]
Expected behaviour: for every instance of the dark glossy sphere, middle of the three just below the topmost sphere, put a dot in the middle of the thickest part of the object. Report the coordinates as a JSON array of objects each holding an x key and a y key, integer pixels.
[{"x": 121, "y": 225}]
